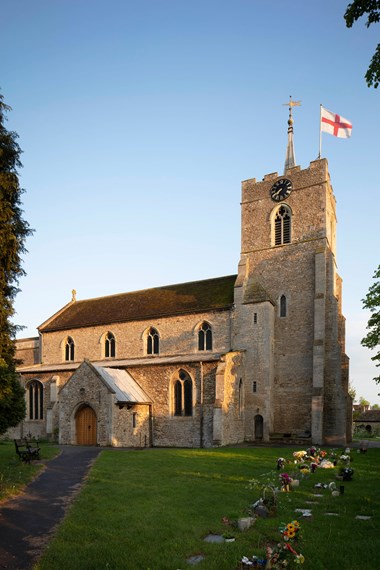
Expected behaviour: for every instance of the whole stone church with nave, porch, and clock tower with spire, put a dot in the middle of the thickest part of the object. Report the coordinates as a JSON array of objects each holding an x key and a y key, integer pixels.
[{"x": 256, "y": 356}]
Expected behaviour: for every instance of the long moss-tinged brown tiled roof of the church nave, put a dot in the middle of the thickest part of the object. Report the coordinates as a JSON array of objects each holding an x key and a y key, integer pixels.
[{"x": 196, "y": 296}]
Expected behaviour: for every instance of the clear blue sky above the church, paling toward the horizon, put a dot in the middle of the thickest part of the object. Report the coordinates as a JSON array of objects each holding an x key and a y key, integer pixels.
[{"x": 139, "y": 119}]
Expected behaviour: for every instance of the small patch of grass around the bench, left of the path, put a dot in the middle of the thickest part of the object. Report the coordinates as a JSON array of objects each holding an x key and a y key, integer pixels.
[{"x": 14, "y": 474}]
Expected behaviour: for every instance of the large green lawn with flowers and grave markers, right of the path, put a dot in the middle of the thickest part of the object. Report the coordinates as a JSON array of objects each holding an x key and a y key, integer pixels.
[{"x": 151, "y": 509}]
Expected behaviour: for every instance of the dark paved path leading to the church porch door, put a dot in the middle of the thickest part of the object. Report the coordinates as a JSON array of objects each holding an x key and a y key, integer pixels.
[{"x": 28, "y": 521}]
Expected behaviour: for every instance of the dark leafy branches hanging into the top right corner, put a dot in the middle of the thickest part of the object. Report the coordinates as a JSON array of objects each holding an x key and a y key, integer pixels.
[{"x": 356, "y": 10}]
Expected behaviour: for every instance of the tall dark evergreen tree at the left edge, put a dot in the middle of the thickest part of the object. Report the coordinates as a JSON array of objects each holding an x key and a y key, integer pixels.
[{"x": 13, "y": 232}]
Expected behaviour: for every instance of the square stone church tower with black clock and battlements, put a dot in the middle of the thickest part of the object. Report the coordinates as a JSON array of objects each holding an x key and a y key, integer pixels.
[{"x": 288, "y": 308}]
